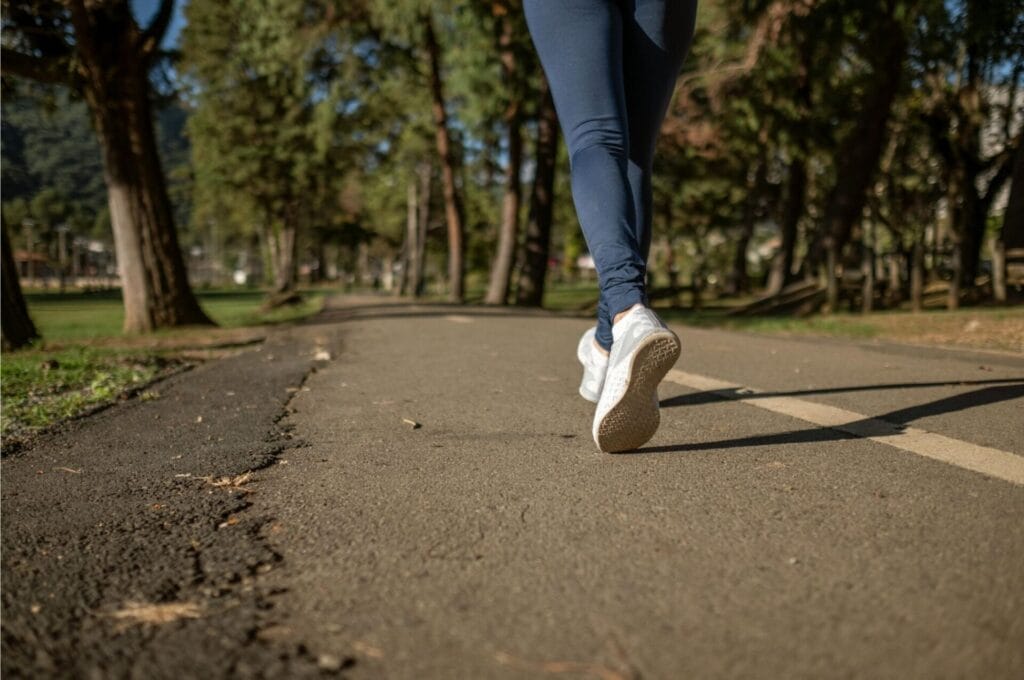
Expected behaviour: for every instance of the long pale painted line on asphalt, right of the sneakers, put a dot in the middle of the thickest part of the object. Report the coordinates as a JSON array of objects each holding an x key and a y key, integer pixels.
[{"x": 995, "y": 463}]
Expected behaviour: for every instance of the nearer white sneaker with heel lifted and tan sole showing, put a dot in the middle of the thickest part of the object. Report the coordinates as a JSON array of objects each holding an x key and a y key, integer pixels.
[{"x": 644, "y": 351}]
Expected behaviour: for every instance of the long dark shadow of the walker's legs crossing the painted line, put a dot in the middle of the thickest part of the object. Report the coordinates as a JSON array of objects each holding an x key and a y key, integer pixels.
[{"x": 886, "y": 424}]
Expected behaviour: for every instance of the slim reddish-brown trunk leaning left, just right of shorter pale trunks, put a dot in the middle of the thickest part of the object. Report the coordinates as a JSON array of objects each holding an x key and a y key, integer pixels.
[{"x": 453, "y": 201}]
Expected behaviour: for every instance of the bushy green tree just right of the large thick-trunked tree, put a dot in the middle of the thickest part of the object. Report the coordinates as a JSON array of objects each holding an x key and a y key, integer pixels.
[{"x": 271, "y": 130}]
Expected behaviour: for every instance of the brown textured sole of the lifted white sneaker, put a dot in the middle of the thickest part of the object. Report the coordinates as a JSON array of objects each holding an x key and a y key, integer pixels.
[{"x": 633, "y": 421}]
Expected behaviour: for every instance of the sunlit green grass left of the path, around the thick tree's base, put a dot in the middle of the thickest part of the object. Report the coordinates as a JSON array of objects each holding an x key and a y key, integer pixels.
[{"x": 86, "y": 361}]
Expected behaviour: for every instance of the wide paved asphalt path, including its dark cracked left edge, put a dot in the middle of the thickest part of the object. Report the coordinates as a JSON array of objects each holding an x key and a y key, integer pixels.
[{"x": 432, "y": 505}]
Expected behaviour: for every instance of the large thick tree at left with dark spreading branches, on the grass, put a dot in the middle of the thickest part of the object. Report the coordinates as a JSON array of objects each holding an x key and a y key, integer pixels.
[{"x": 99, "y": 52}]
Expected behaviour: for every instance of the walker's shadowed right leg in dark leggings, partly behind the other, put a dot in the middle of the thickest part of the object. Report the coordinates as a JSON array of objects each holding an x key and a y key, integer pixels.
[{"x": 657, "y": 35}]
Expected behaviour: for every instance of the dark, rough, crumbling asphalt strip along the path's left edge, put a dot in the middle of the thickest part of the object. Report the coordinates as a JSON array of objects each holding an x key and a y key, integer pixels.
[{"x": 145, "y": 534}]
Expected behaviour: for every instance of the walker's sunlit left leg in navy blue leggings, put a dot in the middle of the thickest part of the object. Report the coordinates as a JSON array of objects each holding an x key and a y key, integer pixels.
[{"x": 580, "y": 44}]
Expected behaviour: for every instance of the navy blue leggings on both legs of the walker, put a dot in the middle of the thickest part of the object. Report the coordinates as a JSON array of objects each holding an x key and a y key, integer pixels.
[{"x": 613, "y": 67}]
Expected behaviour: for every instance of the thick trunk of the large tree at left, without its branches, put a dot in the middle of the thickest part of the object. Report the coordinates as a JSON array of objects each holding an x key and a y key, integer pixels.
[{"x": 155, "y": 284}]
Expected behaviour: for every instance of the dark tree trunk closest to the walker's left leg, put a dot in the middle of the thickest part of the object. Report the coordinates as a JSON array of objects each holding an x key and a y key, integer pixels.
[{"x": 538, "y": 245}]
